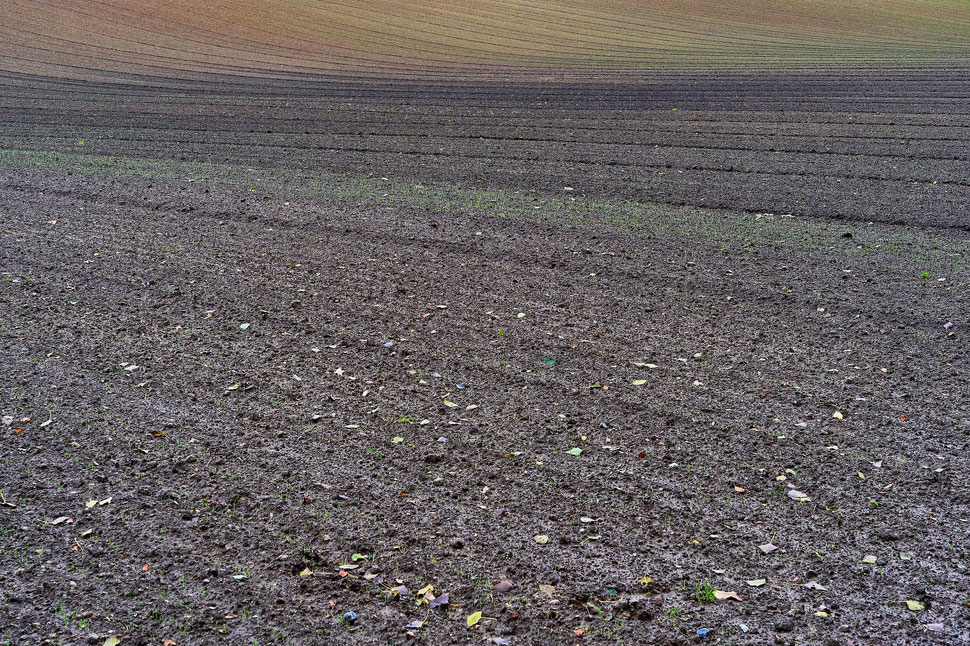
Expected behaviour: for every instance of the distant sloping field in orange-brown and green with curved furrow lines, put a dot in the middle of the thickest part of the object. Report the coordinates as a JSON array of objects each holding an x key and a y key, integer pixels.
[{"x": 177, "y": 39}]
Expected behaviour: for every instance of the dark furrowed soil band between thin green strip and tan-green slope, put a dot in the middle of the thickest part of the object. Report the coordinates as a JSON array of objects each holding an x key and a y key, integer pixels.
[{"x": 887, "y": 145}]
